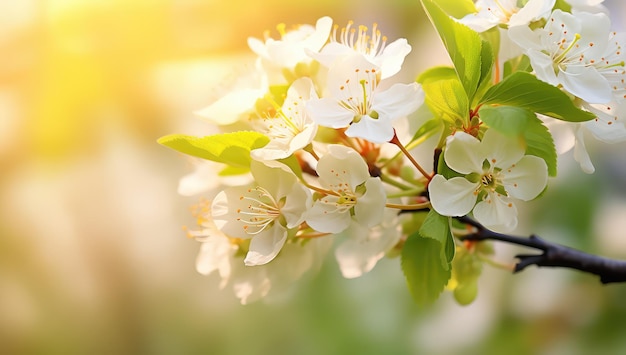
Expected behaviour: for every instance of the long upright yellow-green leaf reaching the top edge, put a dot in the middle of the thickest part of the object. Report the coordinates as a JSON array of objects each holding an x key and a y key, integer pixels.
[{"x": 463, "y": 45}]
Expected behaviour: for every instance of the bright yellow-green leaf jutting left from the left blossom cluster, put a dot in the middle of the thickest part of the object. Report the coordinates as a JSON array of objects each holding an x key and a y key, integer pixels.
[{"x": 232, "y": 149}]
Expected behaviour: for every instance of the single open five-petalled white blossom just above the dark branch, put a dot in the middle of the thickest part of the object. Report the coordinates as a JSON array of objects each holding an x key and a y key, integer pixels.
[{"x": 496, "y": 172}]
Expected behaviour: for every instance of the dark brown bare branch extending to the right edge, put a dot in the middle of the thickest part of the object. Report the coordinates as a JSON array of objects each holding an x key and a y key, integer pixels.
[{"x": 553, "y": 255}]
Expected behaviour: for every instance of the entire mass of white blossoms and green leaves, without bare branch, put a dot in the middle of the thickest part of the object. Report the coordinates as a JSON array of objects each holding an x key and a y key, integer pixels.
[{"x": 317, "y": 149}]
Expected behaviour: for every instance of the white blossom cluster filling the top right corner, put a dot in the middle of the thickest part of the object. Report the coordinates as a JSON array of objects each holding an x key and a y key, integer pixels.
[{"x": 575, "y": 51}]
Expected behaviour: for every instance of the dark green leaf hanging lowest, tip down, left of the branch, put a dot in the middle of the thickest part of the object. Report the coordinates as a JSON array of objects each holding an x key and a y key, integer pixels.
[{"x": 421, "y": 264}]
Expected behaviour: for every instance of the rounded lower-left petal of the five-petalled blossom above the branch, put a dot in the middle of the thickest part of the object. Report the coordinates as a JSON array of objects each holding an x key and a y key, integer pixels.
[{"x": 453, "y": 197}]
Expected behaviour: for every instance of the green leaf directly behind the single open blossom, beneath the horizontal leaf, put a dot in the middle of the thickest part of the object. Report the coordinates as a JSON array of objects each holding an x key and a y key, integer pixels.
[{"x": 519, "y": 122}]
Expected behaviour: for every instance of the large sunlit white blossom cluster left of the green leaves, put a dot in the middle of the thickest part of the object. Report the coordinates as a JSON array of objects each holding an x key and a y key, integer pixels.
[{"x": 335, "y": 108}]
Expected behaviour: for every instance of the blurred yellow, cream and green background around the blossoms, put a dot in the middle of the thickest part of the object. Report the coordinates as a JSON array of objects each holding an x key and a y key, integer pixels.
[{"x": 93, "y": 259}]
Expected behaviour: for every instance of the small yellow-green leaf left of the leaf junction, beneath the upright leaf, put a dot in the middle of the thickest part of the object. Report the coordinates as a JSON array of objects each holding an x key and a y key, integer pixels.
[{"x": 447, "y": 100}]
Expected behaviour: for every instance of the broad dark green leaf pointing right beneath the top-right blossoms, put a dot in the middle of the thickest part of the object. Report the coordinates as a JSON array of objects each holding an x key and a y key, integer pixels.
[{"x": 525, "y": 90}]
